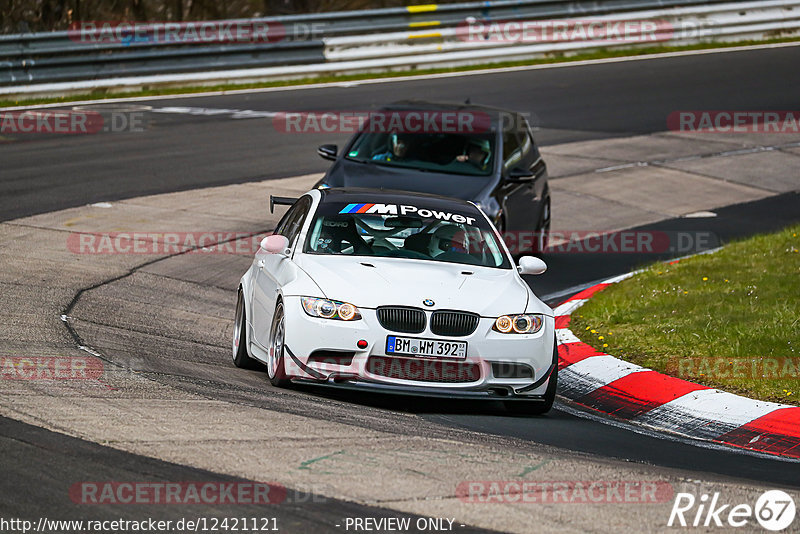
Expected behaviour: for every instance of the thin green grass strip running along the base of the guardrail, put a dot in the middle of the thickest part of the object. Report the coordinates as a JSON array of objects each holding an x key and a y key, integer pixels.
[{"x": 554, "y": 58}]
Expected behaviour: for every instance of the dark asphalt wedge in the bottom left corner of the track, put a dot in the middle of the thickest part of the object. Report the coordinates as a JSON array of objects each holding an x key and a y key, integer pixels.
[{"x": 40, "y": 488}]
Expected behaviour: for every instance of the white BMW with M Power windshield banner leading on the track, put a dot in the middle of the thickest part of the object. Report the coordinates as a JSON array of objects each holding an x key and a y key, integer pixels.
[{"x": 396, "y": 292}]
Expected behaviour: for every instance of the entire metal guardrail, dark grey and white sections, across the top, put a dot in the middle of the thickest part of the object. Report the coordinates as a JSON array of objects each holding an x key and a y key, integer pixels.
[{"x": 356, "y": 41}]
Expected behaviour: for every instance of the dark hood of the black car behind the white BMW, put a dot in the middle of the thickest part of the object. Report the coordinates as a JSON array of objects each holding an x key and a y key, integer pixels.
[{"x": 346, "y": 173}]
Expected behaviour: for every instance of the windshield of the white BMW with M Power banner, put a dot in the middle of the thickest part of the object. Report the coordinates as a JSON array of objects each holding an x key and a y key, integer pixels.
[{"x": 404, "y": 231}]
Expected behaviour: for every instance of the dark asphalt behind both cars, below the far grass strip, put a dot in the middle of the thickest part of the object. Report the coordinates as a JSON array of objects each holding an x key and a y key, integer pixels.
[{"x": 179, "y": 152}]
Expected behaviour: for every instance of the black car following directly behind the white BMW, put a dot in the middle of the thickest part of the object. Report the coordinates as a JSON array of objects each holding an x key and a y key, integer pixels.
[{"x": 483, "y": 154}]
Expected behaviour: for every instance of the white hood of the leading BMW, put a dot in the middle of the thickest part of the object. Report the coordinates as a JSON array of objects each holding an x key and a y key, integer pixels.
[{"x": 370, "y": 282}]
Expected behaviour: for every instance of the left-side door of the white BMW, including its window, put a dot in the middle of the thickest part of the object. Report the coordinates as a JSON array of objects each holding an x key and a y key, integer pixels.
[{"x": 274, "y": 270}]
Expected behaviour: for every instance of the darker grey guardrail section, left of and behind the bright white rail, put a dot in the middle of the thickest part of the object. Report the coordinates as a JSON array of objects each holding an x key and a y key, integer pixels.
[{"x": 56, "y": 56}]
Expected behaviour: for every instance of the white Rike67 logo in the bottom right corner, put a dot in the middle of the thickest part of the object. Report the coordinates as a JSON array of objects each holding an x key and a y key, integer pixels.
[{"x": 774, "y": 510}]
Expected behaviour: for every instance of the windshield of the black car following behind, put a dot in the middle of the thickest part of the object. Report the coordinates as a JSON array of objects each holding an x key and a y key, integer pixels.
[{"x": 467, "y": 154}]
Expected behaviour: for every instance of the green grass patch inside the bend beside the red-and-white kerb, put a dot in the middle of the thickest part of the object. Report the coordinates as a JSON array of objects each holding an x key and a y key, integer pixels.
[{"x": 729, "y": 320}]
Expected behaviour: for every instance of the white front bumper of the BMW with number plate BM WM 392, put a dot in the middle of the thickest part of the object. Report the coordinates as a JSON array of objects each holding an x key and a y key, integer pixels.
[{"x": 488, "y": 352}]
